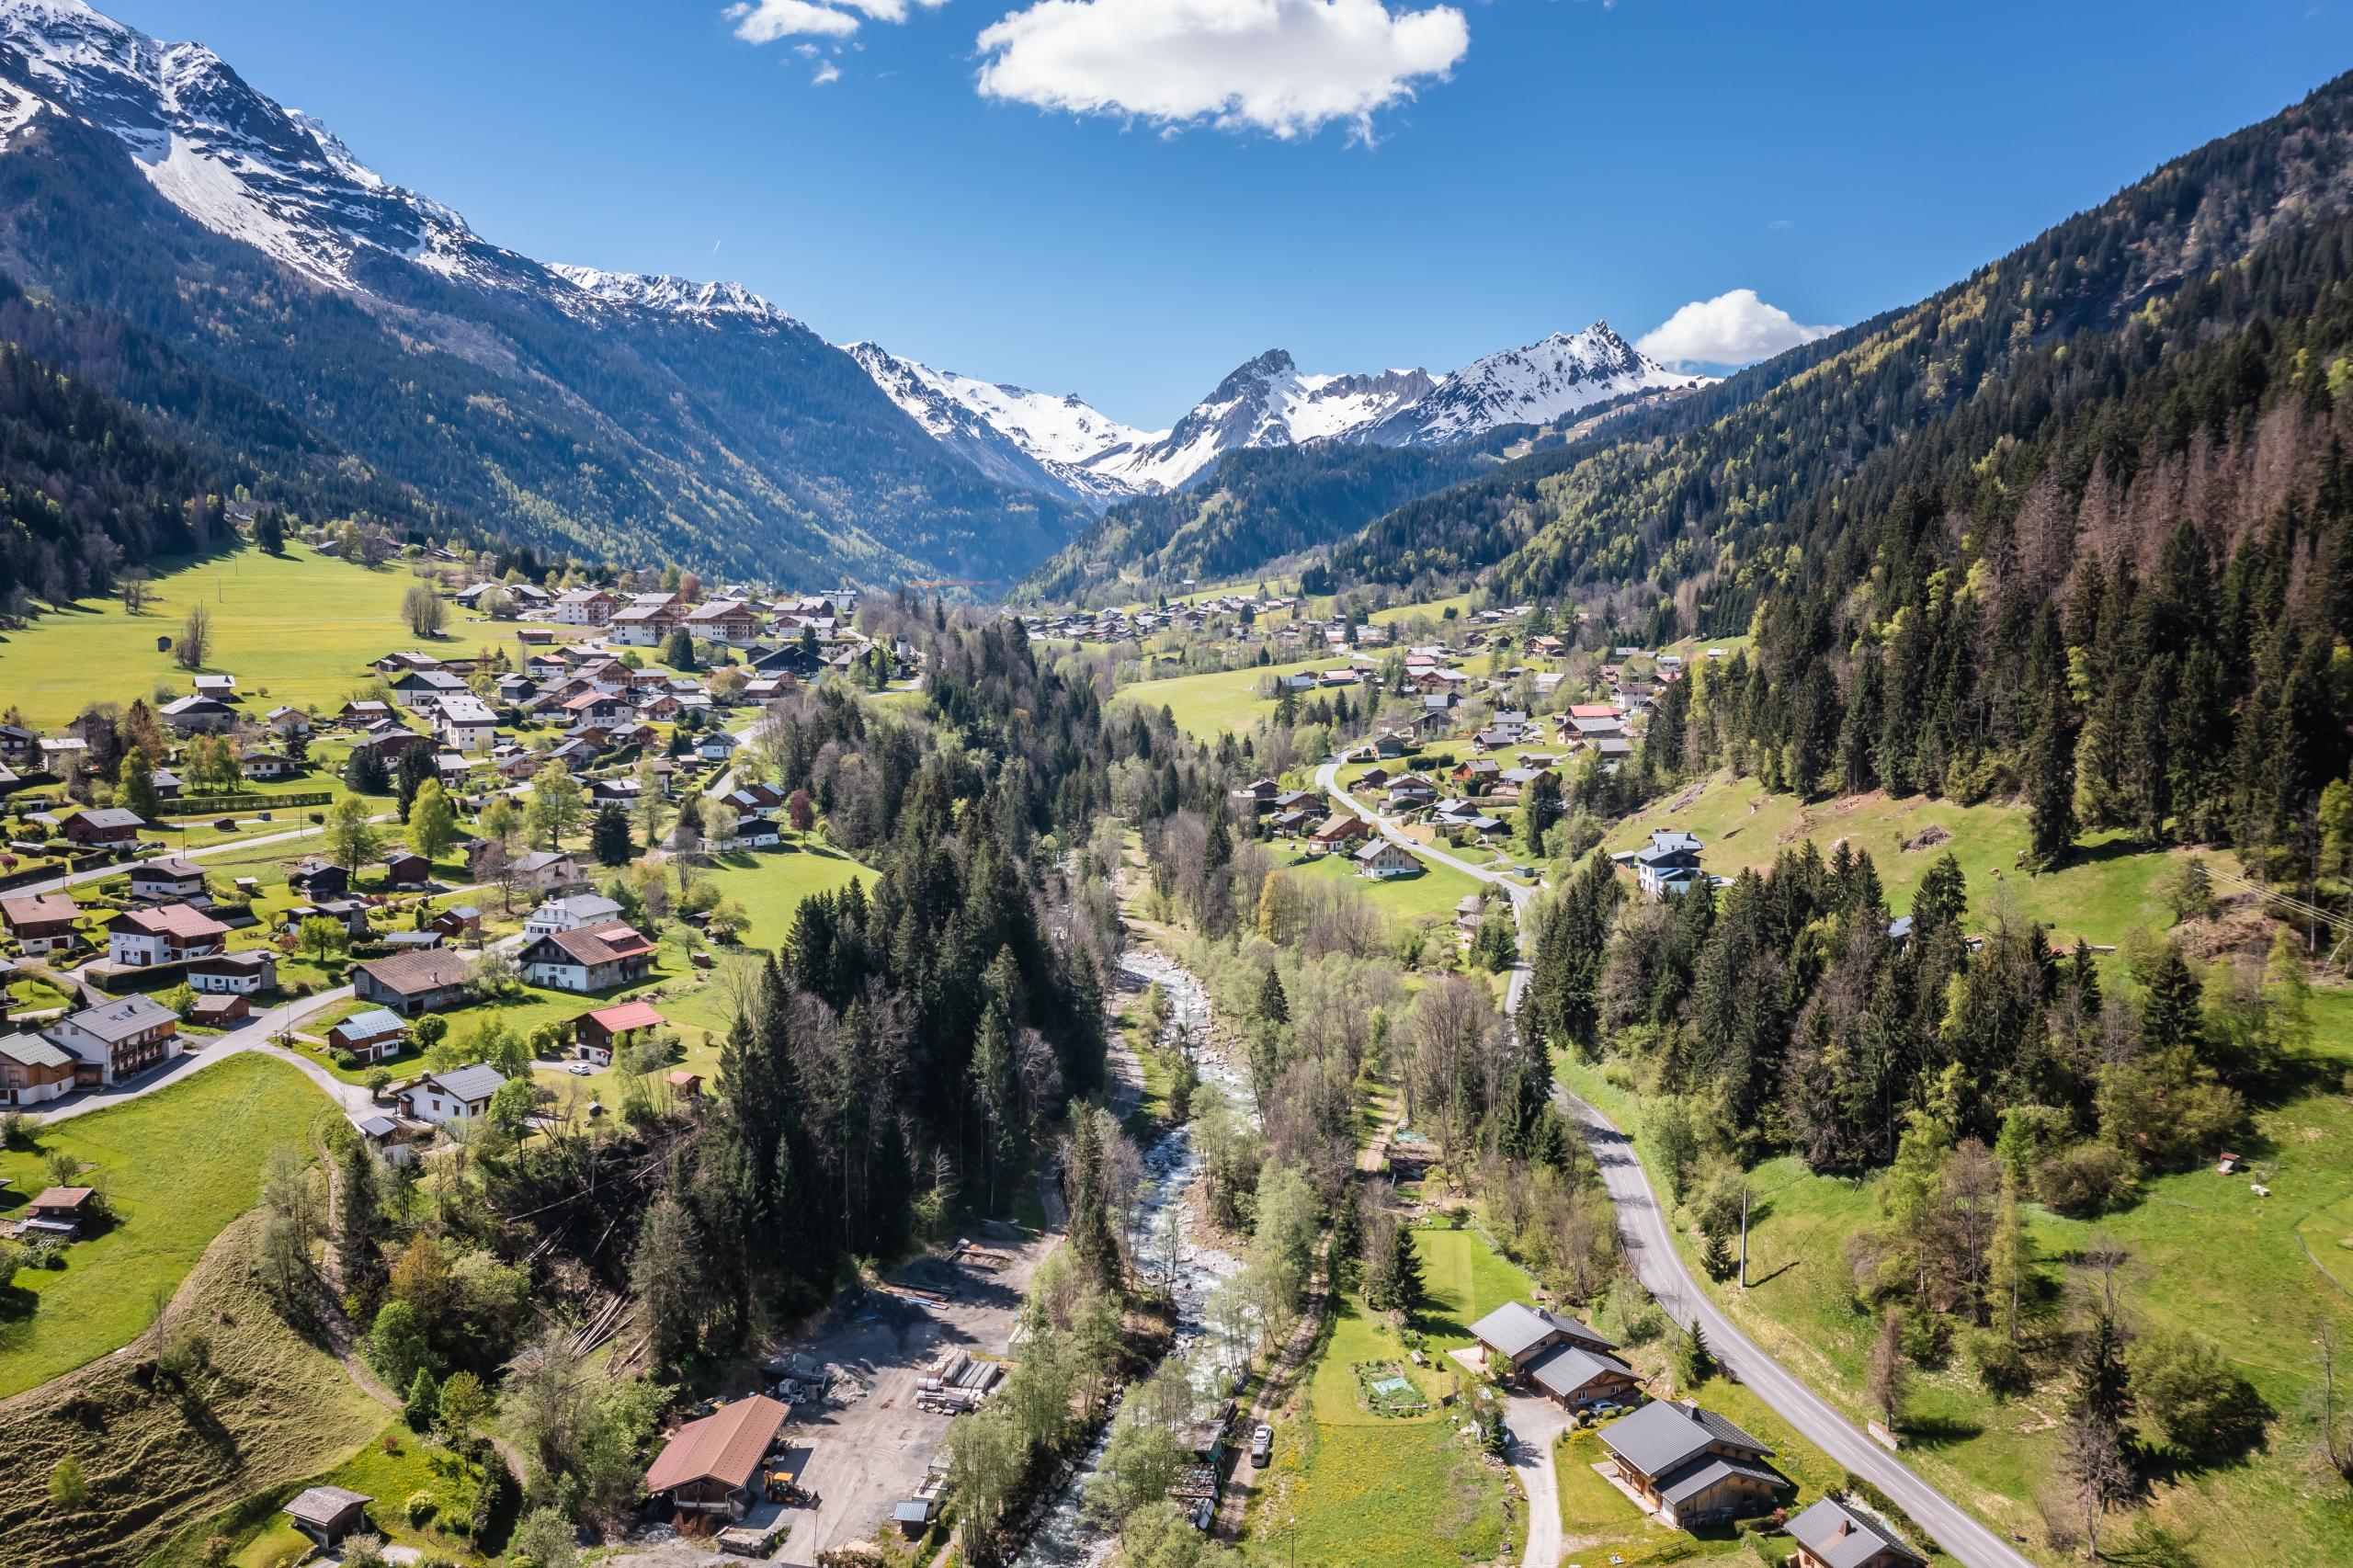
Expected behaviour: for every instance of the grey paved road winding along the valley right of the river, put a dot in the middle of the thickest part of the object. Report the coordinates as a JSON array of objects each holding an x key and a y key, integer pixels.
[{"x": 1651, "y": 1249}]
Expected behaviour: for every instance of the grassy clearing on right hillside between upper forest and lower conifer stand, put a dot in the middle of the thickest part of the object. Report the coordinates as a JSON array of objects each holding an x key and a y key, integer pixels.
[{"x": 2109, "y": 889}]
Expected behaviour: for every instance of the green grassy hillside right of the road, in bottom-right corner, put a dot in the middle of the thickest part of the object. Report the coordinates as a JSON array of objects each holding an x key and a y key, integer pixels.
[{"x": 2211, "y": 1258}]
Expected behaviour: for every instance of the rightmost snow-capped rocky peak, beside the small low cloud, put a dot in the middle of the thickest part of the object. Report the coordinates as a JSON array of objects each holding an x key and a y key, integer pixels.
[{"x": 1533, "y": 385}]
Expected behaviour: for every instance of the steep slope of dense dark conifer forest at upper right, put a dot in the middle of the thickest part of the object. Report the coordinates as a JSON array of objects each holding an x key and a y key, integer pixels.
[{"x": 2077, "y": 529}]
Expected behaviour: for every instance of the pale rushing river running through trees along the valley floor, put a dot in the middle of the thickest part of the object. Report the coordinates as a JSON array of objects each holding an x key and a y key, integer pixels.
[{"x": 1067, "y": 1539}]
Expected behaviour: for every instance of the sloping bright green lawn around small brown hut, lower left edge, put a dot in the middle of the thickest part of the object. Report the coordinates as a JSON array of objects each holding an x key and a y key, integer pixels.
[{"x": 178, "y": 1167}]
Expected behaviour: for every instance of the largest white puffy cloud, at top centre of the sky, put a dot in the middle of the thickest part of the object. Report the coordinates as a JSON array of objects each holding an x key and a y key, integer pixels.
[{"x": 1286, "y": 67}]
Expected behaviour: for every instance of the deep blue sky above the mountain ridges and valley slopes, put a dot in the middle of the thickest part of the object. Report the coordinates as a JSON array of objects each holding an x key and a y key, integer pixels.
[{"x": 1126, "y": 199}]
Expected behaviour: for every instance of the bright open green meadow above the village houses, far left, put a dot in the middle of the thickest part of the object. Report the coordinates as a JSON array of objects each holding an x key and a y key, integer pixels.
[{"x": 293, "y": 630}]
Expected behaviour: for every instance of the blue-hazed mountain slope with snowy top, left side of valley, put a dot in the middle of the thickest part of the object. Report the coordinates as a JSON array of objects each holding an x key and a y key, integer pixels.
[{"x": 604, "y": 413}]
